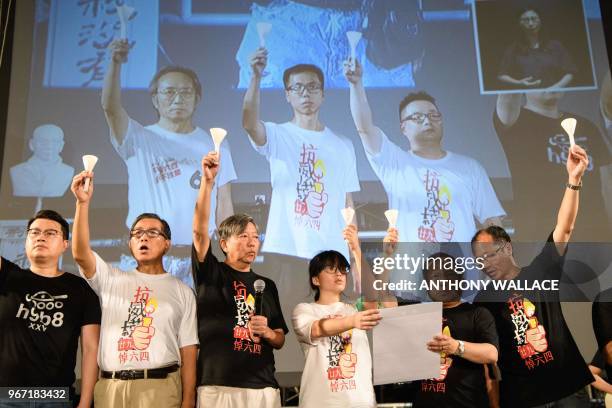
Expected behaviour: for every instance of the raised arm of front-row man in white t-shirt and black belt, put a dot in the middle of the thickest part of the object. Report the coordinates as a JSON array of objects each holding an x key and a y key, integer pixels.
[{"x": 81, "y": 250}]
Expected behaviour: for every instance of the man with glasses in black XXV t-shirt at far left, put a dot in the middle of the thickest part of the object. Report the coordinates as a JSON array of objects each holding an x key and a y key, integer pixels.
[{"x": 43, "y": 311}]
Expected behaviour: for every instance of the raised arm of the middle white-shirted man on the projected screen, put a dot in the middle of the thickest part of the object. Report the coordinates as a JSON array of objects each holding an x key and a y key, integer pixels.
[{"x": 250, "y": 105}]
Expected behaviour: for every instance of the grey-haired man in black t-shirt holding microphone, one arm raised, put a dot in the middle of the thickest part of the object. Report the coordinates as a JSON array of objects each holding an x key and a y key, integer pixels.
[{"x": 236, "y": 364}]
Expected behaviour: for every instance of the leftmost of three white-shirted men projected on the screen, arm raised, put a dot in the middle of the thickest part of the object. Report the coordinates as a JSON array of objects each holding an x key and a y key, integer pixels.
[{"x": 163, "y": 160}]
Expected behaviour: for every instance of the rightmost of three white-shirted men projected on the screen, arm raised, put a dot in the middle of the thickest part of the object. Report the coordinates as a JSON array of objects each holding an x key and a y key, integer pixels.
[{"x": 439, "y": 194}]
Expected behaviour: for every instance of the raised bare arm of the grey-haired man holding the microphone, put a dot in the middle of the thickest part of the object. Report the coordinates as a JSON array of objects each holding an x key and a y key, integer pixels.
[{"x": 201, "y": 239}]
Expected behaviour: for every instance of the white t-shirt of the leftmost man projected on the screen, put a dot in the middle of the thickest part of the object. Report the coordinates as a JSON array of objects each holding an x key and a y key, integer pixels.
[{"x": 164, "y": 172}]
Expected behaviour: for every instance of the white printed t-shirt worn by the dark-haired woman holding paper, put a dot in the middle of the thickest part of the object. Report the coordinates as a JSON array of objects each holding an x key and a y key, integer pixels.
[{"x": 338, "y": 369}]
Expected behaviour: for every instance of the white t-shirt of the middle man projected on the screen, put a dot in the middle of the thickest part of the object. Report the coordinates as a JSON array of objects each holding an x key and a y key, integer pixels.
[{"x": 311, "y": 173}]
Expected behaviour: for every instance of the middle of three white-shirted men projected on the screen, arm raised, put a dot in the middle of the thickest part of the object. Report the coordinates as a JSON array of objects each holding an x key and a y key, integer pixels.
[{"x": 313, "y": 170}]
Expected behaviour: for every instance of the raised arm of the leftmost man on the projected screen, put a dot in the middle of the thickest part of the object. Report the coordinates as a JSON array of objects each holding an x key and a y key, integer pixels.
[{"x": 116, "y": 116}]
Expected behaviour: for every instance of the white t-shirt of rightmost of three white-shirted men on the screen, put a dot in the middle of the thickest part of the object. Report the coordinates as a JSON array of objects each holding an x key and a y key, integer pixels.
[{"x": 437, "y": 199}]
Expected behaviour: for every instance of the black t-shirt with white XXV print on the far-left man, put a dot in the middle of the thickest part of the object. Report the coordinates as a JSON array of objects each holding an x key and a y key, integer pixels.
[{"x": 40, "y": 325}]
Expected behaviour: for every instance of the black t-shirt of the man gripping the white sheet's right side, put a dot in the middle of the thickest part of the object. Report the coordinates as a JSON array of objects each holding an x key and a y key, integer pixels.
[{"x": 461, "y": 383}]
